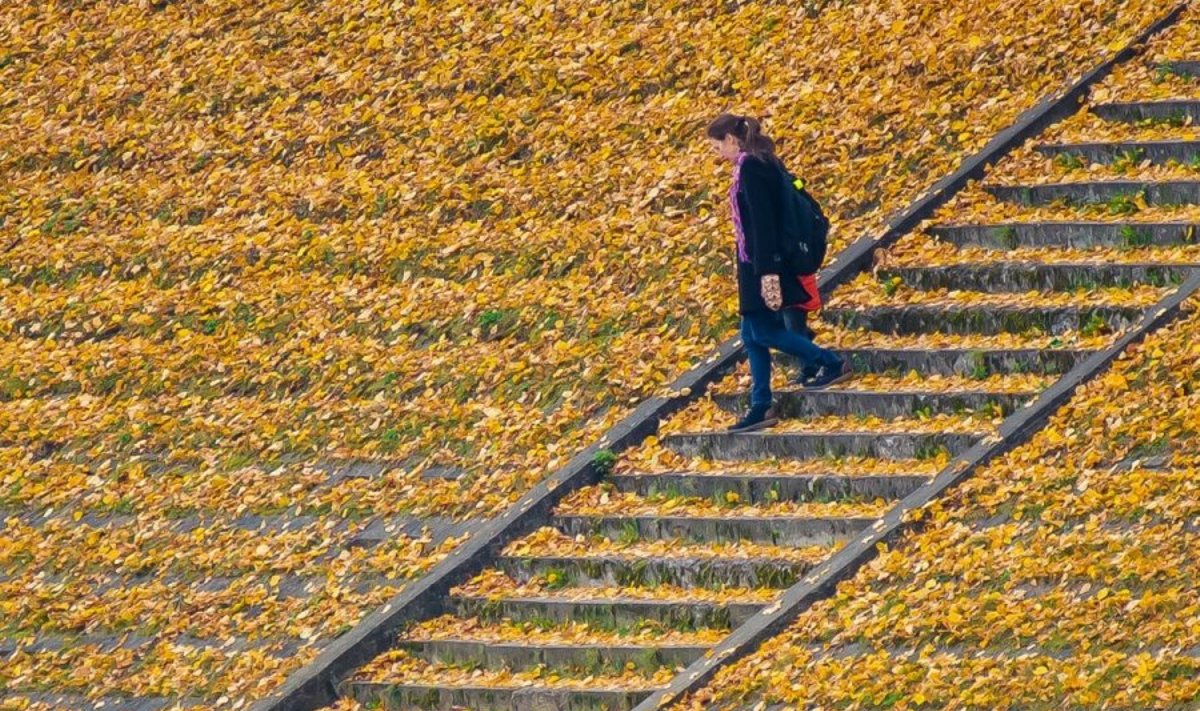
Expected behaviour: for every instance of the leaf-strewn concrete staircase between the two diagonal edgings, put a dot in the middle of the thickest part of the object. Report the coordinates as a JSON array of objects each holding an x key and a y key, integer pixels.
[{"x": 638, "y": 577}]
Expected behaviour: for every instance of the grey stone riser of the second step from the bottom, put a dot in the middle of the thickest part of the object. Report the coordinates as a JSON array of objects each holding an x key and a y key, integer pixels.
[{"x": 589, "y": 659}]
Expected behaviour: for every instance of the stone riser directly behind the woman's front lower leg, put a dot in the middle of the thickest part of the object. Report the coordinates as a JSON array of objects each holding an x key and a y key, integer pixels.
[{"x": 797, "y": 403}]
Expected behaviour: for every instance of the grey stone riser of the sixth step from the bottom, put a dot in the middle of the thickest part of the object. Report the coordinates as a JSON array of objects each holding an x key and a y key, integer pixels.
[{"x": 769, "y": 488}]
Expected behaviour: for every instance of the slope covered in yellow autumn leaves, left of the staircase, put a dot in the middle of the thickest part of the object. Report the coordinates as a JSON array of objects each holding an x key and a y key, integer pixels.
[{"x": 244, "y": 246}]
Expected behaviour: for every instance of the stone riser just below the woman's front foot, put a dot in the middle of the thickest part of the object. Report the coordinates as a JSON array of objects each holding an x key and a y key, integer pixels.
[{"x": 812, "y": 446}]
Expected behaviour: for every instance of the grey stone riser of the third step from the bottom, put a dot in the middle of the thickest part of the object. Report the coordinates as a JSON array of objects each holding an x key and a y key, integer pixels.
[{"x": 609, "y": 613}]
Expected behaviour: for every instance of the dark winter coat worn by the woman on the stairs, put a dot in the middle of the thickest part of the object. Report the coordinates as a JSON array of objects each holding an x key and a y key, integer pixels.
[{"x": 760, "y": 207}]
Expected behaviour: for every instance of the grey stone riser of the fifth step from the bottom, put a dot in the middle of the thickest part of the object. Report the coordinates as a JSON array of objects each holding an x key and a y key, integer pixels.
[{"x": 777, "y": 531}]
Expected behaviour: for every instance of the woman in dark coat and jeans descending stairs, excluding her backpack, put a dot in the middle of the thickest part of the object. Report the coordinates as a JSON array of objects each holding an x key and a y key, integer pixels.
[{"x": 766, "y": 282}]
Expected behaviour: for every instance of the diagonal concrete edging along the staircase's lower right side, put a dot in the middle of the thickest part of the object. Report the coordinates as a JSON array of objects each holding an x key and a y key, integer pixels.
[{"x": 821, "y": 583}]
